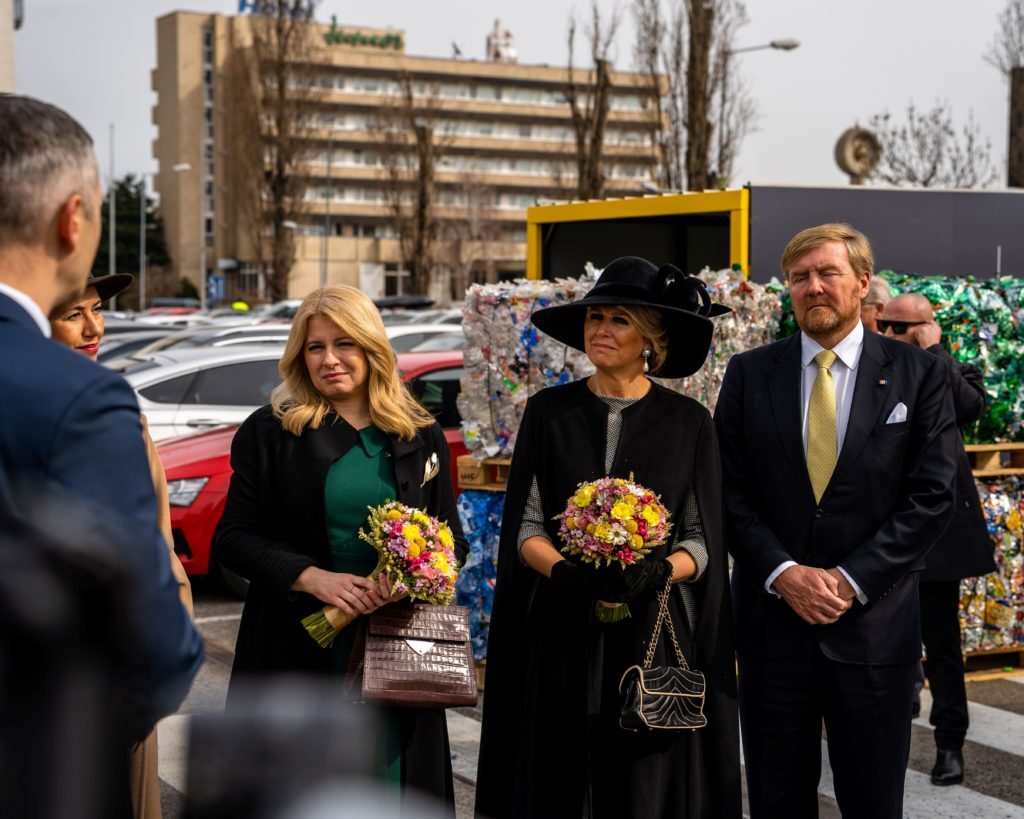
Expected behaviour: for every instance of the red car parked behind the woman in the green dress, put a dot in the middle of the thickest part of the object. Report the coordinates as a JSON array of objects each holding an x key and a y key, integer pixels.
[{"x": 199, "y": 470}]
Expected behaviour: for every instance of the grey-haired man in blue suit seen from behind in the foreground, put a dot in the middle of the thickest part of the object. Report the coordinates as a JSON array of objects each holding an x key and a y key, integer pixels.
[{"x": 70, "y": 428}]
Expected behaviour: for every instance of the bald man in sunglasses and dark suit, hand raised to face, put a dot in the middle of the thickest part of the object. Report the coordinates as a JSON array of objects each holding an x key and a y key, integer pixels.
[{"x": 965, "y": 550}]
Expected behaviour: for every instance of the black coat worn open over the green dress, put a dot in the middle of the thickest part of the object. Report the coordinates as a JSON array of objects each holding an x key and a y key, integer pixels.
[{"x": 274, "y": 528}]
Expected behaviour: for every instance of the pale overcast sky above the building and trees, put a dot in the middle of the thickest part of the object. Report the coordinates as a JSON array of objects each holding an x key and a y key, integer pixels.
[{"x": 94, "y": 59}]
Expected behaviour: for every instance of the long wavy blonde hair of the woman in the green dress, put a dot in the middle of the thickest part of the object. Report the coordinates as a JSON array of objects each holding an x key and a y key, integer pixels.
[{"x": 297, "y": 403}]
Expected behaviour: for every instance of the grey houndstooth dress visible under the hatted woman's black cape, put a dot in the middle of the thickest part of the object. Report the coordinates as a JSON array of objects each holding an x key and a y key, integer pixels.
[{"x": 690, "y": 536}]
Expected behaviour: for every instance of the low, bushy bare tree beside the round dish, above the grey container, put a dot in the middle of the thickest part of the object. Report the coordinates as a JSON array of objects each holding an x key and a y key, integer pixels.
[{"x": 928, "y": 151}]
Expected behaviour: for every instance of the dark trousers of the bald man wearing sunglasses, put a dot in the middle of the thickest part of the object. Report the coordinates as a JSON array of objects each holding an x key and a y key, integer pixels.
[{"x": 945, "y": 668}]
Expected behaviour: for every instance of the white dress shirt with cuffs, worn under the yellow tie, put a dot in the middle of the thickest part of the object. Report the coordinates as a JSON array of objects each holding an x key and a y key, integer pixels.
[{"x": 844, "y": 371}]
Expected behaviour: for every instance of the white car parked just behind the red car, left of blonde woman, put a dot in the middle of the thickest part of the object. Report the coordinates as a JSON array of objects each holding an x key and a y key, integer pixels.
[{"x": 184, "y": 392}]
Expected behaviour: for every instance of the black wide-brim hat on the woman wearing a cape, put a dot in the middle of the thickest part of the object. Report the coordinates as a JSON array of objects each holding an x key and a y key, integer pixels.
[{"x": 682, "y": 300}]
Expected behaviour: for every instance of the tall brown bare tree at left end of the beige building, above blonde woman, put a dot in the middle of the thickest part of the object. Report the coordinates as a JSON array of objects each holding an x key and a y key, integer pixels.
[{"x": 276, "y": 112}]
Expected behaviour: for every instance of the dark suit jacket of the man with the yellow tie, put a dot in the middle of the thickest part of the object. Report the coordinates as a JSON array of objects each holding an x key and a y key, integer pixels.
[{"x": 889, "y": 499}]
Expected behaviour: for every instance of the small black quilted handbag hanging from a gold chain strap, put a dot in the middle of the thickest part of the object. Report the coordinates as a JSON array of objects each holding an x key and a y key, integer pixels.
[{"x": 663, "y": 698}]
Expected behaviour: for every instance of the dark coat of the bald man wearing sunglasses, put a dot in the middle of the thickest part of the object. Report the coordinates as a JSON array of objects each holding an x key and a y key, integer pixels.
[{"x": 966, "y": 550}]
